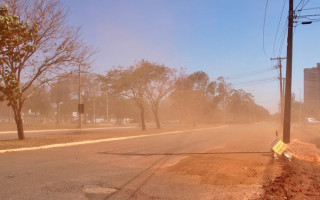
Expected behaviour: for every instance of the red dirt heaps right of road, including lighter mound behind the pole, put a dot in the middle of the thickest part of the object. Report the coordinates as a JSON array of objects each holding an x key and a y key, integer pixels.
[{"x": 300, "y": 178}]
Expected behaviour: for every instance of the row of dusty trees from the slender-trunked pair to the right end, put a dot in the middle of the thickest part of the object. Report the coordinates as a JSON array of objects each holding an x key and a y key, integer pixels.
[{"x": 191, "y": 98}]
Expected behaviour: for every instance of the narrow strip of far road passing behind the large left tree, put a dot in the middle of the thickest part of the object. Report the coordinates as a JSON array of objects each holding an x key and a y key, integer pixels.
[{"x": 9, "y": 135}]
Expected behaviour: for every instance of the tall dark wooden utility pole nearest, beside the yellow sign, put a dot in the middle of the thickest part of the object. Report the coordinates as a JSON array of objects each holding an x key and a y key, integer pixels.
[{"x": 287, "y": 103}]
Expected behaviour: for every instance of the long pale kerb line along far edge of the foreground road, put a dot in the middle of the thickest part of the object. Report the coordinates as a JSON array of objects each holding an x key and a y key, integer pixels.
[{"x": 99, "y": 141}]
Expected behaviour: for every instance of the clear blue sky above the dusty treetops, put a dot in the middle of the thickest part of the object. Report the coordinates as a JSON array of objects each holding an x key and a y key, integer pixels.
[{"x": 219, "y": 37}]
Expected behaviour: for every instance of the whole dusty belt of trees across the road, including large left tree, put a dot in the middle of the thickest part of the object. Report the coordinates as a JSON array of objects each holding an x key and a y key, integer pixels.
[{"x": 41, "y": 57}]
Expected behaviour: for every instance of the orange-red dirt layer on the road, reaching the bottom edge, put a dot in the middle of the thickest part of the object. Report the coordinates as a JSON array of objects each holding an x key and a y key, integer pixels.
[{"x": 230, "y": 176}]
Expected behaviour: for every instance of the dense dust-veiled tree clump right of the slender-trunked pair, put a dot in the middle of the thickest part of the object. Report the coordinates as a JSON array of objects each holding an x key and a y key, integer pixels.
[{"x": 198, "y": 99}]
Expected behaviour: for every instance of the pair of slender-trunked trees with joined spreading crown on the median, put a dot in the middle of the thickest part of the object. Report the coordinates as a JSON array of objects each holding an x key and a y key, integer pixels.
[{"x": 144, "y": 83}]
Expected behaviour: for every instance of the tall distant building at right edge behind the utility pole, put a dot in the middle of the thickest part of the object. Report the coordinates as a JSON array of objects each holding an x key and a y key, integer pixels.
[{"x": 312, "y": 90}]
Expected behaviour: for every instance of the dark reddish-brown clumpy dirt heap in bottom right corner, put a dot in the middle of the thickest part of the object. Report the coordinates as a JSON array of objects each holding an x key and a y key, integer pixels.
[{"x": 299, "y": 180}]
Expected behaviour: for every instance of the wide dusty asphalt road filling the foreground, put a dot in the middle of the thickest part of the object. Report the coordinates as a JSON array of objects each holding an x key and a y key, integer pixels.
[{"x": 140, "y": 168}]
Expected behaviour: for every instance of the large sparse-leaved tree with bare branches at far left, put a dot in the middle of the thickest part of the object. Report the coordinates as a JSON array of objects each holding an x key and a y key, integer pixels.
[{"x": 36, "y": 46}]
